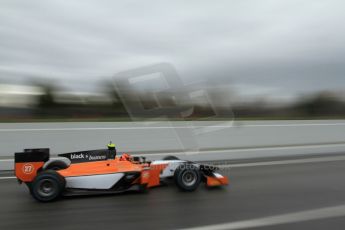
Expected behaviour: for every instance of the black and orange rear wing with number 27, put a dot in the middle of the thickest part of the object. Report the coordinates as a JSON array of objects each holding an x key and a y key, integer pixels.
[{"x": 29, "y": 162}]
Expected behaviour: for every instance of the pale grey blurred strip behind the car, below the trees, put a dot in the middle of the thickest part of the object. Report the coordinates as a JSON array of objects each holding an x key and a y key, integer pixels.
[{"x": 213, "y": 140}]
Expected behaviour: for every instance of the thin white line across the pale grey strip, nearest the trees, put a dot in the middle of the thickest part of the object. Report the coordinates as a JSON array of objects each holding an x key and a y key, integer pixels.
[{"x": 169, "y": 127}]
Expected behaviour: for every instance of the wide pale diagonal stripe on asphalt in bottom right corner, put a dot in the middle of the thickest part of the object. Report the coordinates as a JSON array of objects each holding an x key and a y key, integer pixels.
[{"x": 295, "y": 217}]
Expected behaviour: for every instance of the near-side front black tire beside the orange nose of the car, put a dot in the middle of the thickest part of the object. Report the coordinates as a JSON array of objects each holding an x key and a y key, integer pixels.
[{"x": 187, "y": 177}]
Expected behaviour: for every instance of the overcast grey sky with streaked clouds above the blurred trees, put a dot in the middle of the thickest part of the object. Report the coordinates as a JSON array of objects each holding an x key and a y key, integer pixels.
[{"x": 288, "y": 46}]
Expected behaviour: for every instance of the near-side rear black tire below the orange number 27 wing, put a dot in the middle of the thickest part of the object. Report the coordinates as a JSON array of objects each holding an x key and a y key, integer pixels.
[{"x": 47, "y": 186}]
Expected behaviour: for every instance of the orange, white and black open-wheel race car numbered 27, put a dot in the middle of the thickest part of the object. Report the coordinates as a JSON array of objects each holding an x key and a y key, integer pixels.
[{"x": 102, "y": 171}]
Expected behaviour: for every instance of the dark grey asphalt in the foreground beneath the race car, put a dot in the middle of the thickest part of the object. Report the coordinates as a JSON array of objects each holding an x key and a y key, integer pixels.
[{"x": 255, "y": 192}]
